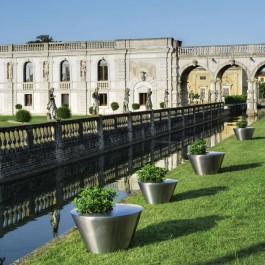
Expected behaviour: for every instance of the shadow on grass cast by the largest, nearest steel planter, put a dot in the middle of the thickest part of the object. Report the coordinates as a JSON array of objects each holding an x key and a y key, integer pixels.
[{"x": 173, "y": 229}]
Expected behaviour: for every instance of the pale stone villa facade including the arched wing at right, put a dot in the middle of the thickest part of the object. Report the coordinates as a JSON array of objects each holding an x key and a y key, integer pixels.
[{"x": 76, "y": 69}]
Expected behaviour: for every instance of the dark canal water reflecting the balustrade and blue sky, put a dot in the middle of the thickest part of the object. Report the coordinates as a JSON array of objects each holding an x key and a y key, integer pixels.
[{"x": 36, "y": 209}]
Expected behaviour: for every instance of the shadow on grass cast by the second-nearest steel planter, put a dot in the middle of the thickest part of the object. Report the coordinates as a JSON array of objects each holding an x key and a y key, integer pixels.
[{"x": 197, "y": 193}]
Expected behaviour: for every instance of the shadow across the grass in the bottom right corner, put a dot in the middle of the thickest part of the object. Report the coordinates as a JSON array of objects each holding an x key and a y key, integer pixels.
[{"x": 243, "y": 253}]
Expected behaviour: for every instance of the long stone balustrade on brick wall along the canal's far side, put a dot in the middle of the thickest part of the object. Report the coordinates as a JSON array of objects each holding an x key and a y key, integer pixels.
[{"x": 32, "y": 147}]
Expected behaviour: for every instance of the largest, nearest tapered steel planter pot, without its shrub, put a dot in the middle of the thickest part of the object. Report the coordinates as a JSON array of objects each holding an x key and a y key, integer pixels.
[{"x": 110, "y": 231}]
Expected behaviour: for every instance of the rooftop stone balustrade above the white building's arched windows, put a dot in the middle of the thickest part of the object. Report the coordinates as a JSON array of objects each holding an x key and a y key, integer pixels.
[{"x": 58, "y": 46}]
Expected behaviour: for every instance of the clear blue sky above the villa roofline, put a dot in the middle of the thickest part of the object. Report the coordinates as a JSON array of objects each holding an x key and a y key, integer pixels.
[{"x": 194, "y": 22}]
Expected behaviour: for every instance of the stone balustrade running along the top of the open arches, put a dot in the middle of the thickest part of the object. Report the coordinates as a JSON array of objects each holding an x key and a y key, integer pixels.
[{"x": 222, "y": 50}]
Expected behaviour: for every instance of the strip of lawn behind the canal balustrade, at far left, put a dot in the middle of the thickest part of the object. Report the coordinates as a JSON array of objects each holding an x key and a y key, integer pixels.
[{"x": 9, "y": 120}]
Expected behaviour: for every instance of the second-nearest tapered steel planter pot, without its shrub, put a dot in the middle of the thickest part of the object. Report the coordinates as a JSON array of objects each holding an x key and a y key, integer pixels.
[{"x": 161, "y": 192}]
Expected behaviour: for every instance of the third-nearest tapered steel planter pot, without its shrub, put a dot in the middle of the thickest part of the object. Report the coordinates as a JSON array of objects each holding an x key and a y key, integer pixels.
[{"x": 207, "y": 164}]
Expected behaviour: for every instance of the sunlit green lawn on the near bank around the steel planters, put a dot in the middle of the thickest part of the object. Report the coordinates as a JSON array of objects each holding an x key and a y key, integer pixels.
[{"x": 213, "y": 219}]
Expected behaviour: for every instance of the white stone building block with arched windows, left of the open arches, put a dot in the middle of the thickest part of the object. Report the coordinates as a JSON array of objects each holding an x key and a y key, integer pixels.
[{"x": 76, "y": 69}]
